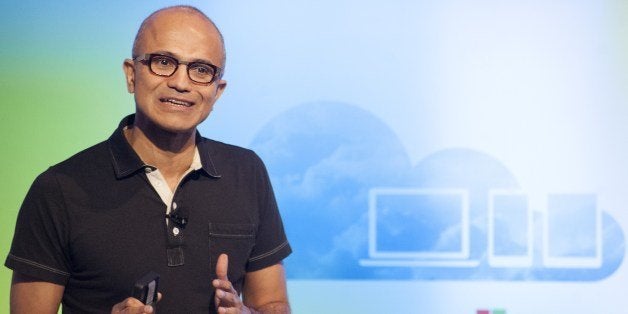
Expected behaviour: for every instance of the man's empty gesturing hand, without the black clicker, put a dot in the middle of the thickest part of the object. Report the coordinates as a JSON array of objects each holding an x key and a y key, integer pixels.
[{"x": 226, "y": 297}]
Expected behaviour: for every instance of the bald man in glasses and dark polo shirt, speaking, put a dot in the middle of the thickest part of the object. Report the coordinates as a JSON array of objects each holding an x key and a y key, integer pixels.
[{"x": 155, "y": 196}]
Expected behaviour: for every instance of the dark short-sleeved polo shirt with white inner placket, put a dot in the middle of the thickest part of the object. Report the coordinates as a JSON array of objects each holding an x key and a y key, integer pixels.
[{"x": 94, "y": 224}]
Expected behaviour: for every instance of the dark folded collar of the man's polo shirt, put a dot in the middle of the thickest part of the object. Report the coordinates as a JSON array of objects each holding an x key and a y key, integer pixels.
[{"x": 126, "y": 161}]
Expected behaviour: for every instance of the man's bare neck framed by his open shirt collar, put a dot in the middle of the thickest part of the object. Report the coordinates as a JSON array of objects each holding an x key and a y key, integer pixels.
[{"x": 171, "y": 153}]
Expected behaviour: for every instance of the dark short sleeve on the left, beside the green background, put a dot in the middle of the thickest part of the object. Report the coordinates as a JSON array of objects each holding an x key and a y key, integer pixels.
[{"x": 39, "y": 248}]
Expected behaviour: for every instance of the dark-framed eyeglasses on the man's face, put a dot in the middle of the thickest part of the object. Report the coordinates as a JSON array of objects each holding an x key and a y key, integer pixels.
[{"x": 162, "y": 65}]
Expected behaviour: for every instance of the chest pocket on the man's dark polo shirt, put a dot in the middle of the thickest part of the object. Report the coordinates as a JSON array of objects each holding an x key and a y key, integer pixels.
[{"x": 235, "y": 240}]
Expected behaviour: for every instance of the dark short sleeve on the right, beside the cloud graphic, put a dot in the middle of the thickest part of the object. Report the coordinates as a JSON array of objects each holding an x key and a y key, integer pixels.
[{"x": 271, "y": 243}]
